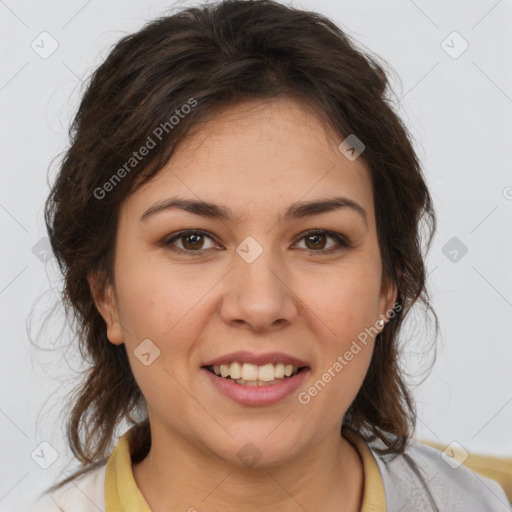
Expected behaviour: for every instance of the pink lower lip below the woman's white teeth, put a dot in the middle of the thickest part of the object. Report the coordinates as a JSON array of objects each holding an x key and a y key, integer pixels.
[{"x": 257, "y": 395}]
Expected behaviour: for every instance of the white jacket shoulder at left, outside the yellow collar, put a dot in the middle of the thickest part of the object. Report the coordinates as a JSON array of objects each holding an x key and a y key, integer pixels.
[{"x": 85, "y": 493}]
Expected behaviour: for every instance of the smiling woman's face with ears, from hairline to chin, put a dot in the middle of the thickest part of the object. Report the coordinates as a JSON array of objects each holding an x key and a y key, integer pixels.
[{"x": 260, "y": 274}]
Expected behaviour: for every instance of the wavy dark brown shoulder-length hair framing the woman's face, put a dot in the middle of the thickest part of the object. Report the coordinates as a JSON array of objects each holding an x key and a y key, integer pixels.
[{"x": 219, "y": 55}]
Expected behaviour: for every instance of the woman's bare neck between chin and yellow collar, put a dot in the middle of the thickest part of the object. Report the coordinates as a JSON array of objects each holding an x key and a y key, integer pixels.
[{"x": 176, "y": 474}]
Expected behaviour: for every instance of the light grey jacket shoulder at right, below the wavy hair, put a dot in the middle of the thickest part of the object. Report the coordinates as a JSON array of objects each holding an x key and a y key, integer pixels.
[{"x": 422, "y": 477}]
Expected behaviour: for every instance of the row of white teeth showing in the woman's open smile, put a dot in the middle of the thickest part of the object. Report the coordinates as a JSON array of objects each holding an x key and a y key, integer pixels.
[{"x": 252, "y": 375}]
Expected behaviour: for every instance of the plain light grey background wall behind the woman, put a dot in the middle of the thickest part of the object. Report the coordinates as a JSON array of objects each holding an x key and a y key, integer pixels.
[{"x": 459, "y": 111}]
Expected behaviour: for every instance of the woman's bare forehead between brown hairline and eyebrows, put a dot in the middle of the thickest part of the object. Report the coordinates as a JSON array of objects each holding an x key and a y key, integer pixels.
[{"x": 256, "y": 155}]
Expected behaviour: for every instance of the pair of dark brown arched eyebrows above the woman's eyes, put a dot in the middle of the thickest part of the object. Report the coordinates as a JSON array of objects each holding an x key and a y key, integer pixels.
[{"x": 296, "y": 211}]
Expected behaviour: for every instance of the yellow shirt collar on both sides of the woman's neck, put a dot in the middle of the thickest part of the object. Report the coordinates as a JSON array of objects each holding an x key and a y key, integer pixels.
[{"x": 123, "y": 495}]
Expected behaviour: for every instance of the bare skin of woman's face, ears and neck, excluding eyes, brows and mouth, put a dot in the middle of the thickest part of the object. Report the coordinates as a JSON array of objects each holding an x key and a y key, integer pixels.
[{"x": 257, "y": 158}]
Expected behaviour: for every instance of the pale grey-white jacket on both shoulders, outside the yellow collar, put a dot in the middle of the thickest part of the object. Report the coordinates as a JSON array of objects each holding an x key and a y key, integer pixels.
[{"x": 418, "y": 480}]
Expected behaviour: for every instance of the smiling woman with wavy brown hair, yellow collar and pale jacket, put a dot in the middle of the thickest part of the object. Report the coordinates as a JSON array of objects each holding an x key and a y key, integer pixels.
[{"x": 238, "y": 224}]
